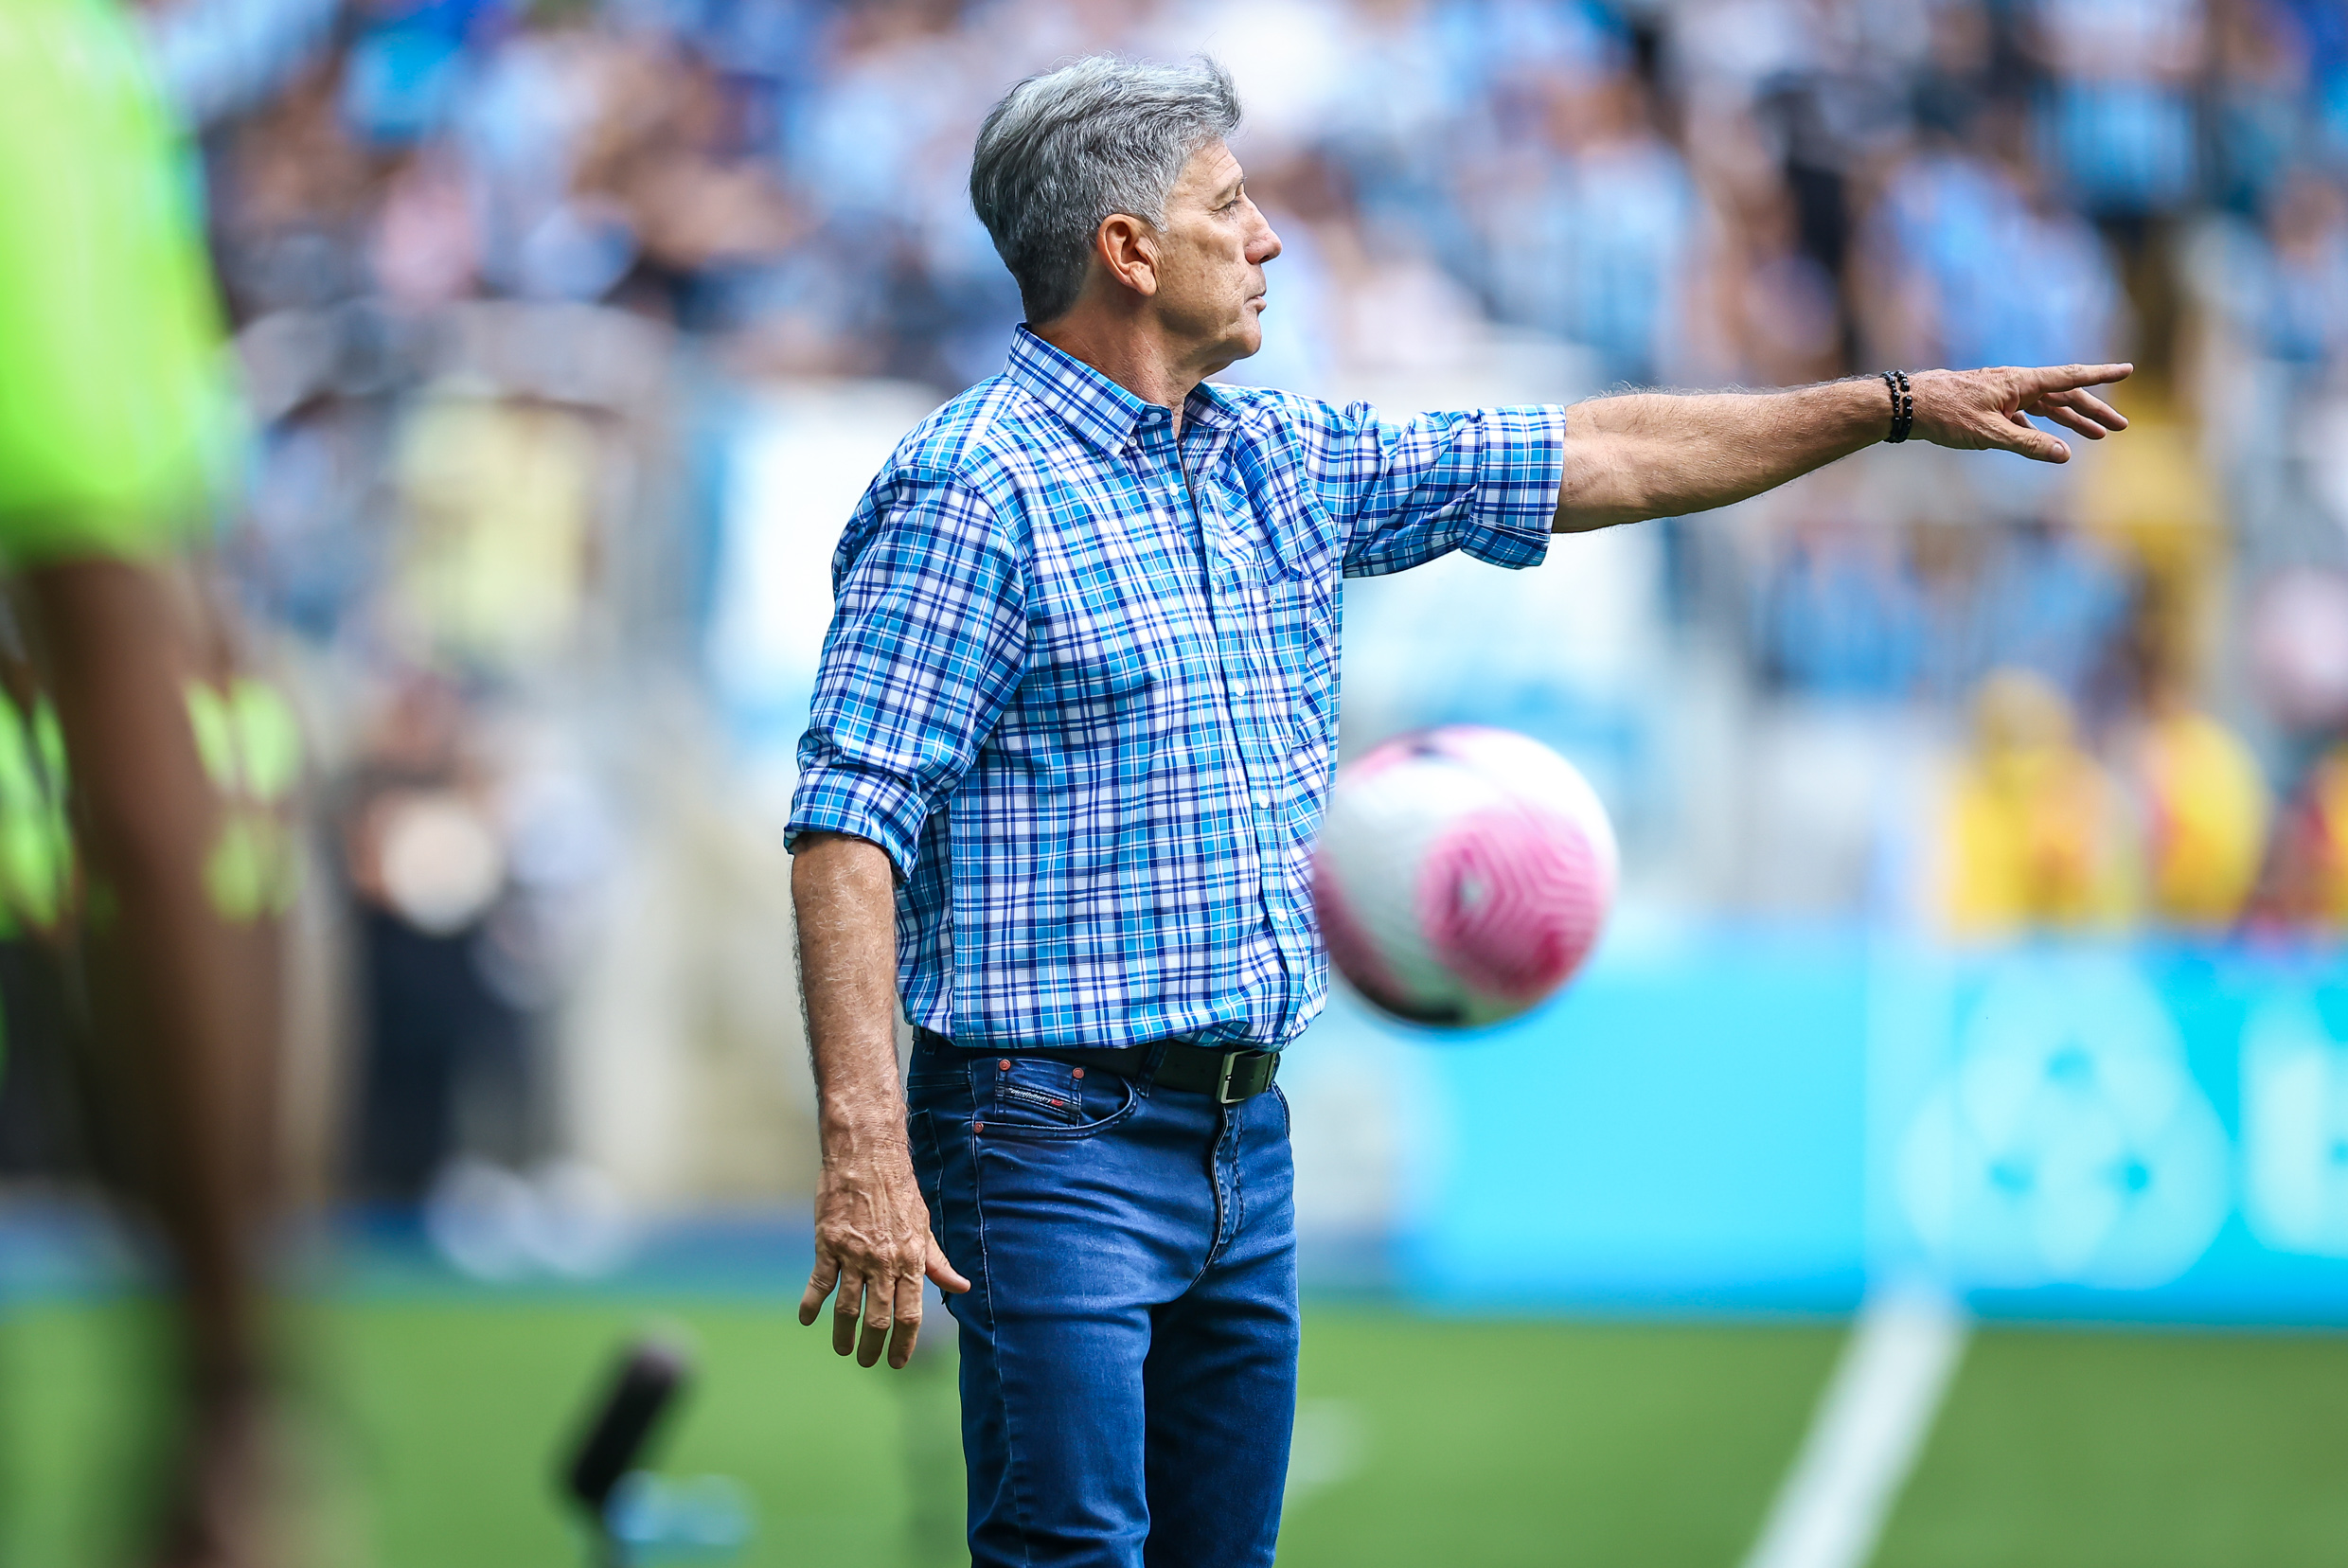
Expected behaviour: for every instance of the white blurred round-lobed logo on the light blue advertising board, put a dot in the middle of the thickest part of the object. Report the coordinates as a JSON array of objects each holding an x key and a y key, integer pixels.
[{"x": 2070, "y": 1142}]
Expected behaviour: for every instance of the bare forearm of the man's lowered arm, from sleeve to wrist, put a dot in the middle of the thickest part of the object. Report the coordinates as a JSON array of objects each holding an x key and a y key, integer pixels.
[{"x": 846, "y": 905}]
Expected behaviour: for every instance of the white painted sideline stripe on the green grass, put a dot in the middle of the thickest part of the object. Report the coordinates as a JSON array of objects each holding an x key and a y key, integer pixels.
[{"x": 1865, "y": 1438}]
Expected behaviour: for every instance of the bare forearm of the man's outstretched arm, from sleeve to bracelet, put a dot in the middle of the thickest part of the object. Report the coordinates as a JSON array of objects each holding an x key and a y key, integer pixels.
[{"x": 1668, "y": 454}]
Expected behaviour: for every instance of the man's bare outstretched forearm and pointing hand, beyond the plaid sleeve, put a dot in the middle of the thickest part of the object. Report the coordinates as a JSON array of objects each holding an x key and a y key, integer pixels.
[{"x": 1666, "y": 454}]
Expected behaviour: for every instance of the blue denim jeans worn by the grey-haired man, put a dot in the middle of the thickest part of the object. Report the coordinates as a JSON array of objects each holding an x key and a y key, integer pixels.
[{"x": 1131, "y": 1327}]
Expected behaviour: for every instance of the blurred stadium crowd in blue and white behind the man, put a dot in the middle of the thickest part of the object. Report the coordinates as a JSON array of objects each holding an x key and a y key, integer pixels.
[{"x": 501, "y": 269}]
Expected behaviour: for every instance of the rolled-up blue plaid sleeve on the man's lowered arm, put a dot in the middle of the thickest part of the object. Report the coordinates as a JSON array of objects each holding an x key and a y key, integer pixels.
[{"x": 929, "y": 642}]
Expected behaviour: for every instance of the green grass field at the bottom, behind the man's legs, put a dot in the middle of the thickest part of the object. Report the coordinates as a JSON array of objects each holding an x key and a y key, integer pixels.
[{"x": 1422, "y": 1440}]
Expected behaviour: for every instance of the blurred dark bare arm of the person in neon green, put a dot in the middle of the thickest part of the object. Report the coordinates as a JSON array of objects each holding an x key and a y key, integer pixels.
[{"x": 182, "y": 994}]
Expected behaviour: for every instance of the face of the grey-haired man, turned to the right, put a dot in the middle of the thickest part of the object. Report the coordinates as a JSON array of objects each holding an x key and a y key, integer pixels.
[{"x": 1210, "y": 276}]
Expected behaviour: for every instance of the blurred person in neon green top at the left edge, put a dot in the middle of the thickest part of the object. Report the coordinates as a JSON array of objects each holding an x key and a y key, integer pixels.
[{"x": 119, "y": 431}]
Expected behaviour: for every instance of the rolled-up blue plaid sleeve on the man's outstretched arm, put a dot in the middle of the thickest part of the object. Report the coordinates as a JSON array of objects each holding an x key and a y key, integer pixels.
[{"x": 1480, "y": 480}]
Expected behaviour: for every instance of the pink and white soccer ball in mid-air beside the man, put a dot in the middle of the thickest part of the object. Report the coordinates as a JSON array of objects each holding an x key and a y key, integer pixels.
[{"x": 1464, "y": 874}]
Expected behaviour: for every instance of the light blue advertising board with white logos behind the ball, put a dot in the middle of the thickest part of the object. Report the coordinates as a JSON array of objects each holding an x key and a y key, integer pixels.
[{"x": 1774, "y": 1121}]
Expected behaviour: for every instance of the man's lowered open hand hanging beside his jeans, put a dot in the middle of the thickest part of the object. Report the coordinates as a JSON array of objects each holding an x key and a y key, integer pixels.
[{"x": 875, "y": 1245}]
